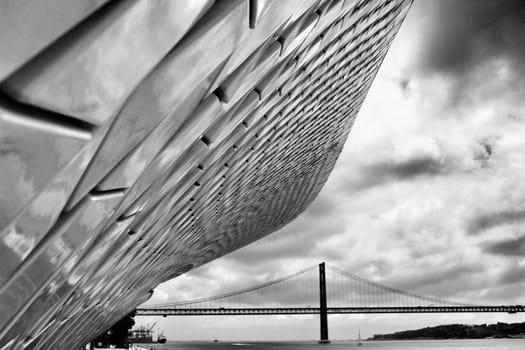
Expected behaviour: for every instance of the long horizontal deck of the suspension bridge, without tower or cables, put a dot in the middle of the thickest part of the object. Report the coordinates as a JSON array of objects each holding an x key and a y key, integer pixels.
[{"x": 331, "y": 310}]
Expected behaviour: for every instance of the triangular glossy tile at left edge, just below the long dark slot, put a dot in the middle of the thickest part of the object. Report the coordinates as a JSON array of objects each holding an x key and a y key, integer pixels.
[{"x": 35, "y": 146}]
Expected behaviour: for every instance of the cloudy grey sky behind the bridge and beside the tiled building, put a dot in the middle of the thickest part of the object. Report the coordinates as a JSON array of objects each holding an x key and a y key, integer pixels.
[{"x": 428, "y": 195}]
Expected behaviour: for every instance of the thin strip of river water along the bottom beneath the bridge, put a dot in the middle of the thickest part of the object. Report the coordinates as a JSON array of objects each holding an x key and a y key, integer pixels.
[{"x": 481, "y": 344}]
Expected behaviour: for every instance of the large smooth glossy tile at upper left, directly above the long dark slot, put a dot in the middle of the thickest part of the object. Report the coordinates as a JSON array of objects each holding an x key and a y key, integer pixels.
[{"x": 83, "y": 75}]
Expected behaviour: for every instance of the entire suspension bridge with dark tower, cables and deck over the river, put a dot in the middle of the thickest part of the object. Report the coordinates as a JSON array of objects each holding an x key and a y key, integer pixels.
[{"x": 308, "y": 292}]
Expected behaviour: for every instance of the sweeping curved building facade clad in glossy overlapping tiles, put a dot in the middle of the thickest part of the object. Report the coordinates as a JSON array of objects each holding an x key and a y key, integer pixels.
[{"x": 140, "y": 139}]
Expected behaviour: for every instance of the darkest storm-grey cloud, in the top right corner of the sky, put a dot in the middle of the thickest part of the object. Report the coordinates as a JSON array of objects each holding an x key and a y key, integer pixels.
[{"x": 461, "y": 35}]
